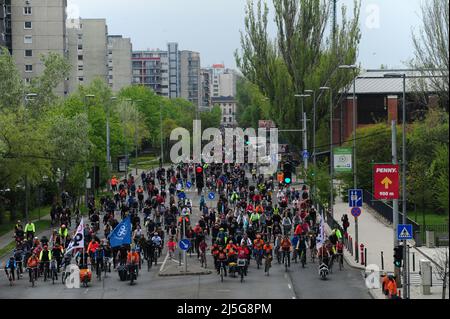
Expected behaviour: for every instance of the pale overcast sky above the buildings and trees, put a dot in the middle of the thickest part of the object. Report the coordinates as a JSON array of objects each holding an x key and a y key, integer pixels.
[{"x": 212, "y": 27}]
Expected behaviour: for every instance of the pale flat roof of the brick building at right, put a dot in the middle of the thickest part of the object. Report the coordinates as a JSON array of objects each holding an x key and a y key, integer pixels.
[{"x": 374, "y": 82}]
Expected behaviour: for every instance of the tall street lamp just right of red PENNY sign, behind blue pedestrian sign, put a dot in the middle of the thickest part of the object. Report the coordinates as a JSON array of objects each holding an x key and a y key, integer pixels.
[{"x": 403, "y": 76}]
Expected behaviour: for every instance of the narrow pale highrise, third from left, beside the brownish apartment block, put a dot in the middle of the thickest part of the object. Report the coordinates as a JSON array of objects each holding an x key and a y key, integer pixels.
[{"x": 119, "y": 62}]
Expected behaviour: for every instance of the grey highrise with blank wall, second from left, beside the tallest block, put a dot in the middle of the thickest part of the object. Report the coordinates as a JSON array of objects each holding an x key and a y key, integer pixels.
[{"x": 88, "y": 51}]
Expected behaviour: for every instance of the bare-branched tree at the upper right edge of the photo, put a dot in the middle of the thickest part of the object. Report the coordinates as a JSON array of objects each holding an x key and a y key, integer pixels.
[{"x": 431, "y": 47}]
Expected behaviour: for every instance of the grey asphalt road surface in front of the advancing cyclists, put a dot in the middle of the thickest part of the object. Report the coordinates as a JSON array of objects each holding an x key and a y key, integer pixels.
[{"x": 296, "y": 283}]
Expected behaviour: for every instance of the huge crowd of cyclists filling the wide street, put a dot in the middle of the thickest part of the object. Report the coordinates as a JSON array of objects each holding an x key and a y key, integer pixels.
[{"x": 254, "y": 218}]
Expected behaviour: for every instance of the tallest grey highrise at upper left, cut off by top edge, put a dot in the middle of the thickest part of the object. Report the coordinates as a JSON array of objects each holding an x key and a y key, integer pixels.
[{"x": 37, "y": 28}]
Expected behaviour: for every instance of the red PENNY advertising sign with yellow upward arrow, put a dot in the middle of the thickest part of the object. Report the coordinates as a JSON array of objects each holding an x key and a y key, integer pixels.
[{"x": 386, "y": 181}]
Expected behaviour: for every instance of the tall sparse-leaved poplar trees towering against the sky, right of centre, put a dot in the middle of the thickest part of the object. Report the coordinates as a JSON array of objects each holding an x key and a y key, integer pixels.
[{"x": 301, "y": 57}]
